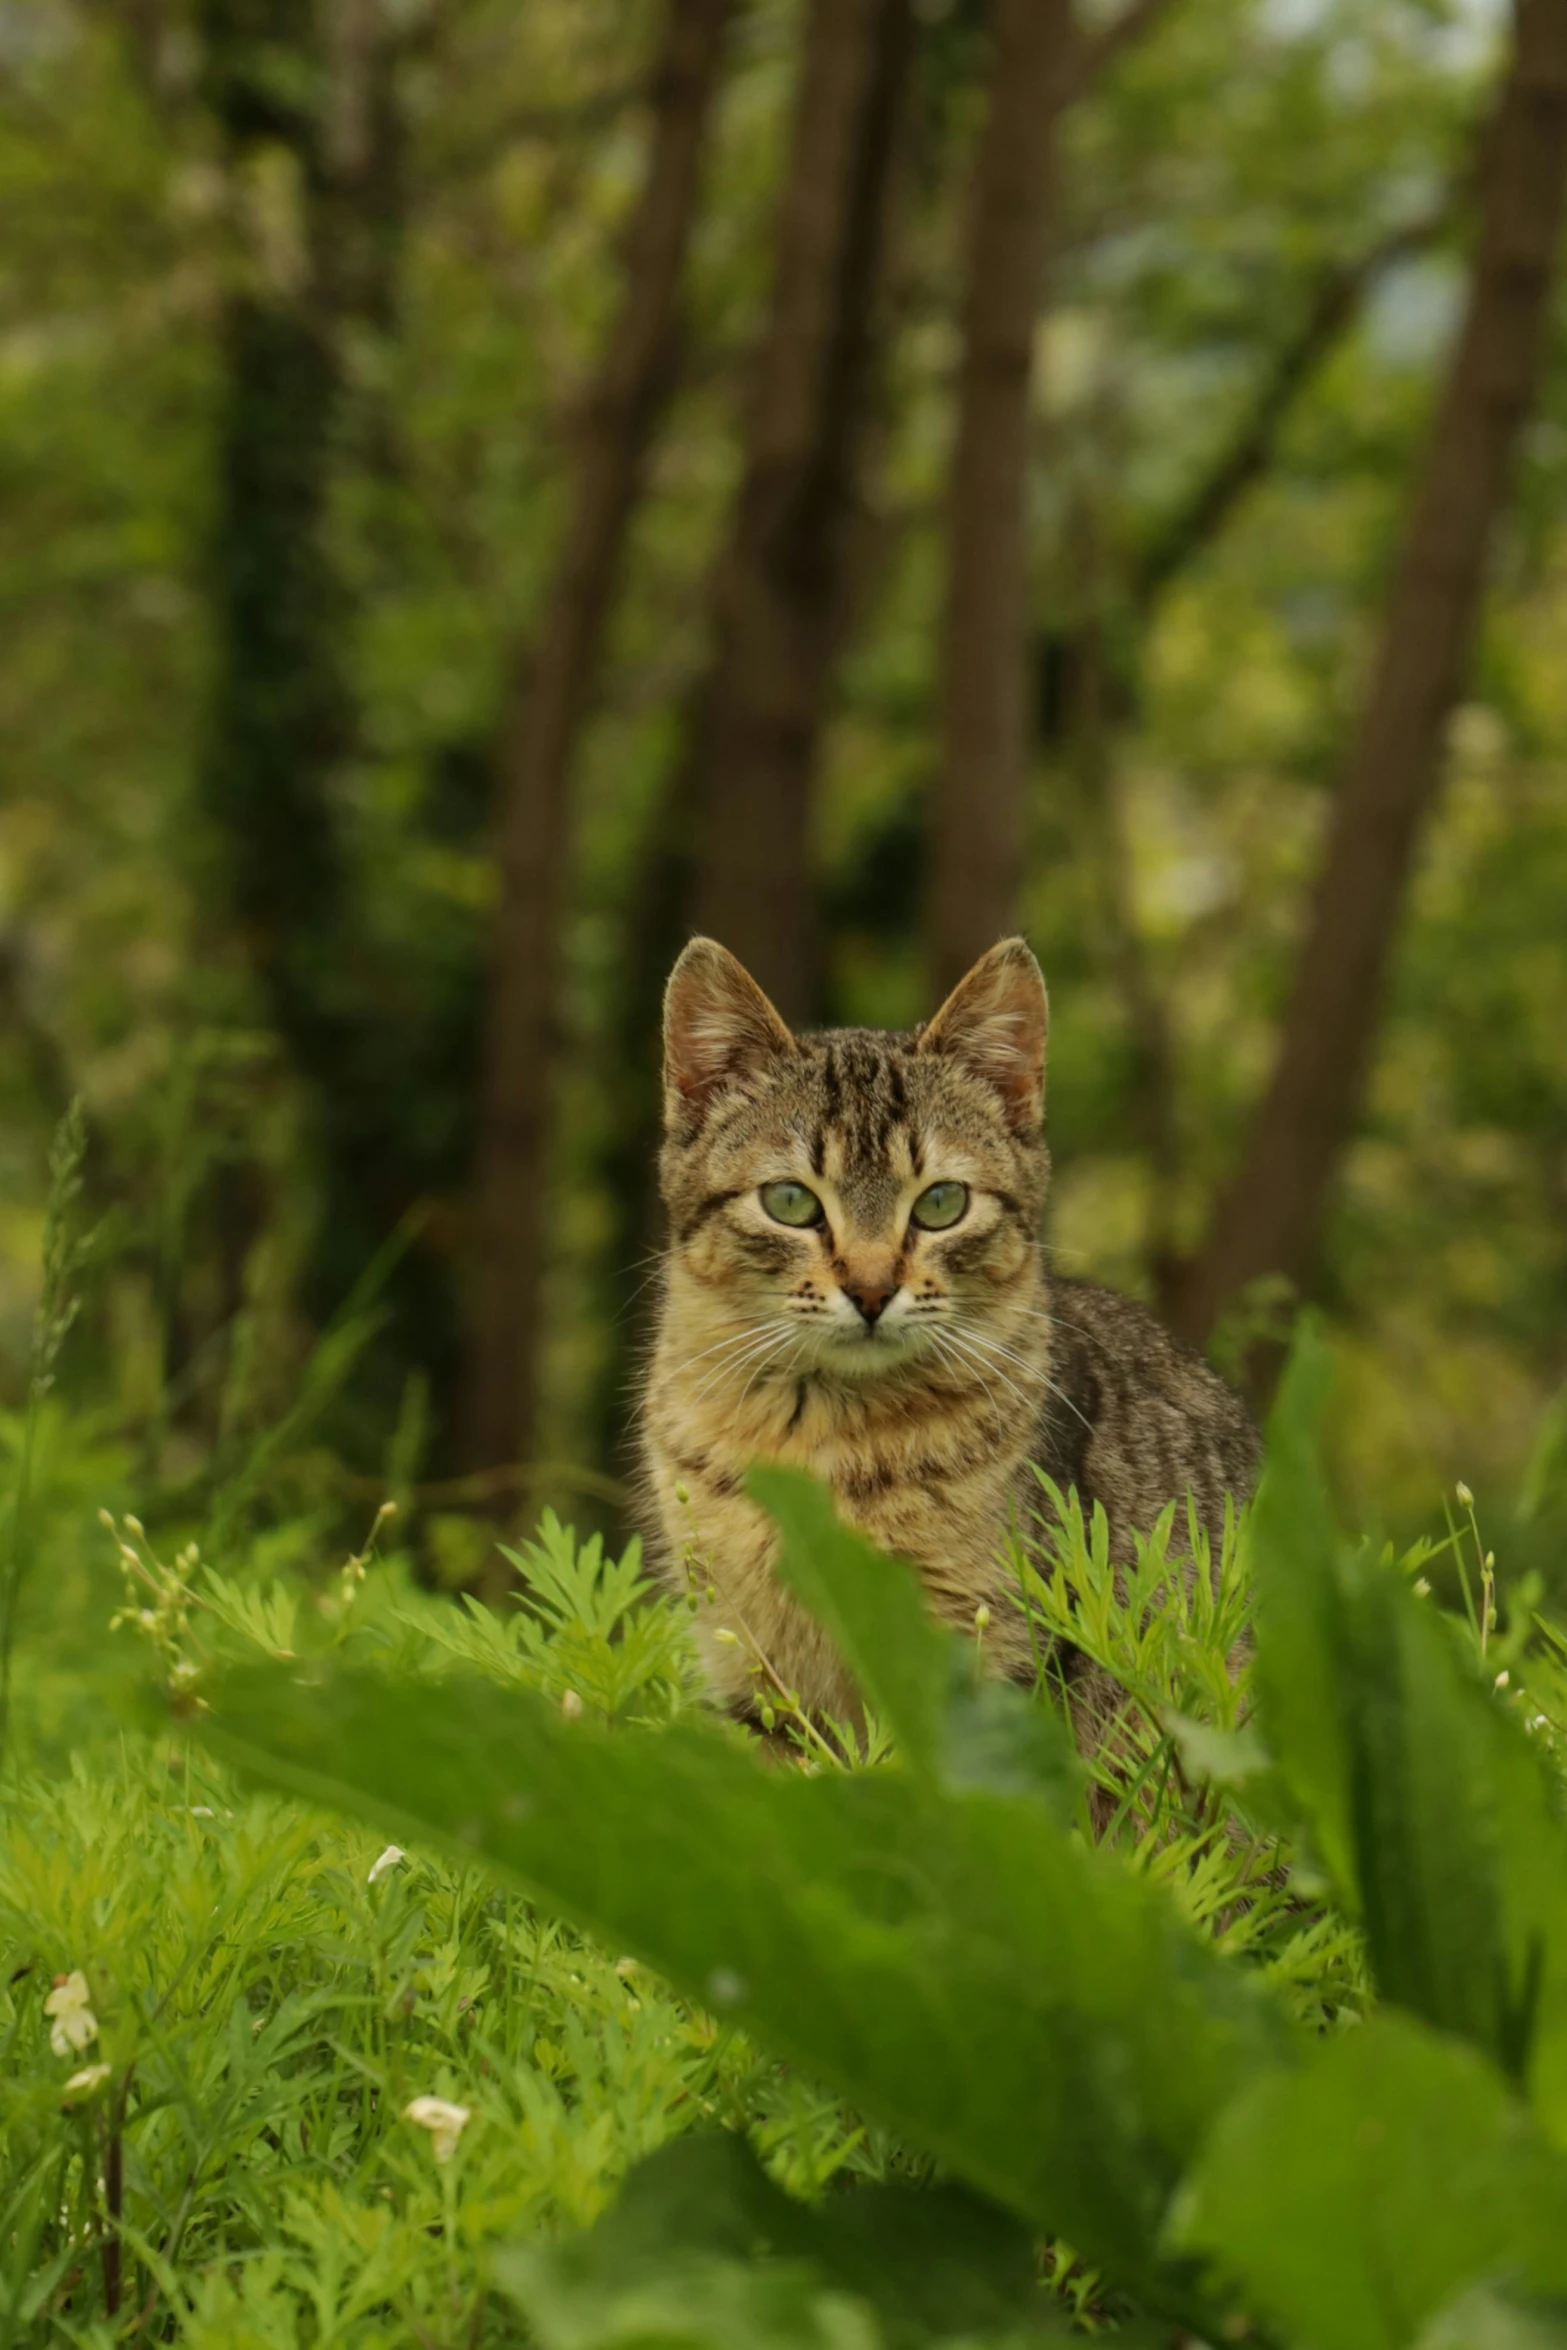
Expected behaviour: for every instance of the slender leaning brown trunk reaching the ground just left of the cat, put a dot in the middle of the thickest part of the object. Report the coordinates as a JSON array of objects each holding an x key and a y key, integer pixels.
[{"x": 539, "y": 739}]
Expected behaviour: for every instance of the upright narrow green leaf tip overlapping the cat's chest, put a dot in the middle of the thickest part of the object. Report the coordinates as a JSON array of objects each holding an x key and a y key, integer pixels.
[{"x": 950, "y": 1719}]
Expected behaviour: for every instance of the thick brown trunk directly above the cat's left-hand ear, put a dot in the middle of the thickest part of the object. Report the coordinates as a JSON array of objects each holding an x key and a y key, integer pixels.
[{"x": 783, "y": 577}]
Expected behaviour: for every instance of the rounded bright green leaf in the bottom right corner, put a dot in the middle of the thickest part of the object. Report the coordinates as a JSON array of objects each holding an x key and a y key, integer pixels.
[{"x": 1359, "y": 2196}]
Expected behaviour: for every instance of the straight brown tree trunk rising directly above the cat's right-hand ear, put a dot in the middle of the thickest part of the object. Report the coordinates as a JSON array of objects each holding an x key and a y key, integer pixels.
[{"x": 978, "y": 835}]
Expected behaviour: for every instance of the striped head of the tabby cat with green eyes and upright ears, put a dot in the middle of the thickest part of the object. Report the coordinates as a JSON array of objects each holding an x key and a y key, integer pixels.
[{"x": 870, "y": 1197}]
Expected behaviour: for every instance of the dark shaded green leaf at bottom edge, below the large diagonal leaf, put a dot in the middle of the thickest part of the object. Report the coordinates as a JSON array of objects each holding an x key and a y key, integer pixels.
[{"x": 704, "y": 2250}]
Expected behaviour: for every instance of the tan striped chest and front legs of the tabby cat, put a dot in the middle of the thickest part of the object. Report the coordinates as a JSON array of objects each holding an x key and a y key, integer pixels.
[{"x": 927, "y": 1470}]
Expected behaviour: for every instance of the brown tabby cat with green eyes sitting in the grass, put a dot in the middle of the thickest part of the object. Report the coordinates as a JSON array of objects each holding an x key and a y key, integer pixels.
[{"x": 854, "y": 1282}]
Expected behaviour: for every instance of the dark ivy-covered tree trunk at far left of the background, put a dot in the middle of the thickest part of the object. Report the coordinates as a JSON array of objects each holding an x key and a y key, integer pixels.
[{"x": 307, "y": 107}]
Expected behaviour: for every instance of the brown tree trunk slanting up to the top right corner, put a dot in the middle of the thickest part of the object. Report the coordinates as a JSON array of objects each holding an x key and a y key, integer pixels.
[{"x": 1272, "y": 1211}]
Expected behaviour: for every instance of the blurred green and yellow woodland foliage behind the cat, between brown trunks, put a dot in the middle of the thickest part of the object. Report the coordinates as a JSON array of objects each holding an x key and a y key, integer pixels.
[{"x": 302, "y": 318}]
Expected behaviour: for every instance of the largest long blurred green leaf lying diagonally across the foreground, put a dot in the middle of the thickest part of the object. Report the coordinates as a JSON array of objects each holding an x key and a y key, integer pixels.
[{"x": 957, "y": 1963}]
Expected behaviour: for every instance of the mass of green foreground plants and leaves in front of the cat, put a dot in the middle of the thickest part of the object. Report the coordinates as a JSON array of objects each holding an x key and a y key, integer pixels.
[{"x": 849, "y": 2048}]
